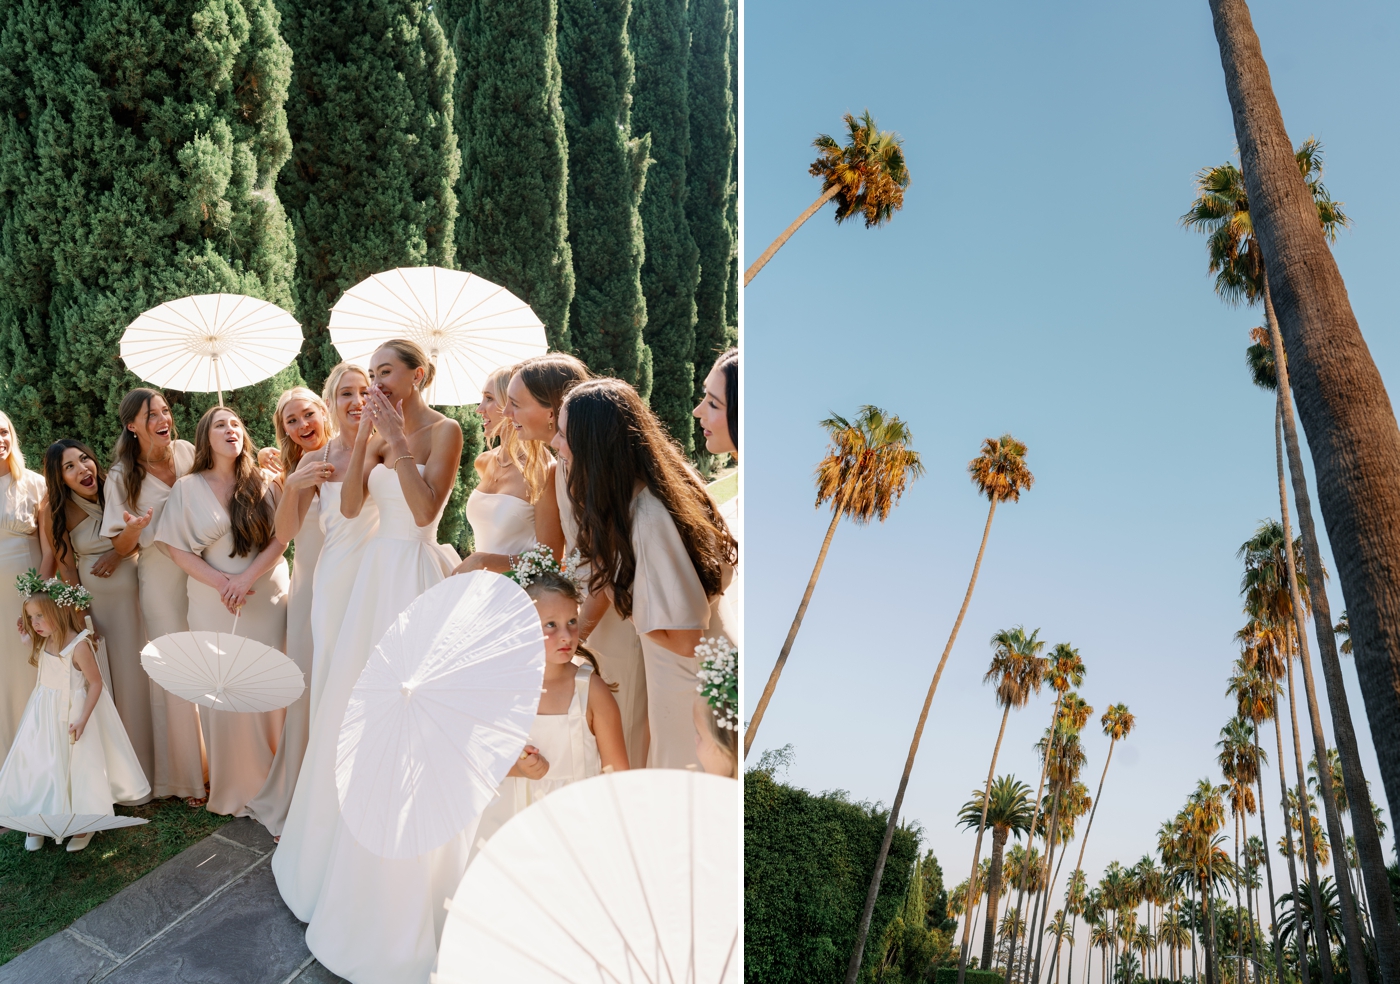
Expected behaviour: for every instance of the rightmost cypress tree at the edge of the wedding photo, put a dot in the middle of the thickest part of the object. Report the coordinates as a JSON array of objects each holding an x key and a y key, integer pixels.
[{"x": 710, "y": 184}]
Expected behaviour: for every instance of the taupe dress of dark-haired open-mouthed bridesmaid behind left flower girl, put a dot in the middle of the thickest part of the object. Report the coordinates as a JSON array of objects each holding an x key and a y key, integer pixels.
[{"x": 117, "y": 615}]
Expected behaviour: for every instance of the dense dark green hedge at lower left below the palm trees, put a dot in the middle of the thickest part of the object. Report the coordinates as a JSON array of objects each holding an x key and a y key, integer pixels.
[{"x": 807, "y": 867}]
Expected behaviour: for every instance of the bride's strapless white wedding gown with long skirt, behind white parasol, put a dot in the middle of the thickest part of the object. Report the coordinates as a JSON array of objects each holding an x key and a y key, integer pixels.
[{"x": 372, "y": 920}]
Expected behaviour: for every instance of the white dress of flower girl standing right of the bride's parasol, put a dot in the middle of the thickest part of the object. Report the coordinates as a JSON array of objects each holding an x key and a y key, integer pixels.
[{"x": 568, "y": 745}]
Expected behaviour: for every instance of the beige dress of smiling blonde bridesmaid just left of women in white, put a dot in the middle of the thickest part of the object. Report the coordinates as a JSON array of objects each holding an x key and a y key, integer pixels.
[{"x": 269, "y": 807}]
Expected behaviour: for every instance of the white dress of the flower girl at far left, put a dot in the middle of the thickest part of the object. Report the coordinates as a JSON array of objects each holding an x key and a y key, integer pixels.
[{"x": 47, "y": 773}]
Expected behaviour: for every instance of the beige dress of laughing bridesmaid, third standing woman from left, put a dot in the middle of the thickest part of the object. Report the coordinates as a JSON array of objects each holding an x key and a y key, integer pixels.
[{"x": 181, "y": 768}]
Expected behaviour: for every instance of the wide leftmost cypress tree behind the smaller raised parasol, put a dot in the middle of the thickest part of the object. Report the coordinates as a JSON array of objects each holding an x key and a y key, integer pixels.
[{"x": 139, "y": 145}]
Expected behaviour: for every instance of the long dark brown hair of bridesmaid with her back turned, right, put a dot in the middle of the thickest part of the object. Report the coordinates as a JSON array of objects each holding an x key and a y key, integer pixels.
[{"x": 617, "y": 443}]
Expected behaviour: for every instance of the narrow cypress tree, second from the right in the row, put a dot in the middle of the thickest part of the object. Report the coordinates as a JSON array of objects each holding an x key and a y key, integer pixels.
[{"x": 661, "y": 45}]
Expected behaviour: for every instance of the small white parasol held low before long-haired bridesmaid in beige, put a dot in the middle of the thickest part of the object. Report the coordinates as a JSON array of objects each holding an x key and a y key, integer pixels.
[{"x": 223, "y": 671}]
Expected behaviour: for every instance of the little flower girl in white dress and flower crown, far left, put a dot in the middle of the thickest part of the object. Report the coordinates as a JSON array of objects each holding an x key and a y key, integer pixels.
[{"x": 72, "y": 754}]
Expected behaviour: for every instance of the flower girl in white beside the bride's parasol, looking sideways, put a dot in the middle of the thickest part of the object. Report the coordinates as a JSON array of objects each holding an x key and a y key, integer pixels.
[{"x": 577, "y": 730}]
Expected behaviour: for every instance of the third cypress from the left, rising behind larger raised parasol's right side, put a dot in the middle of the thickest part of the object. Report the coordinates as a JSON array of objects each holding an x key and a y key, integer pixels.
[{"x": 514, "y": 222}]
